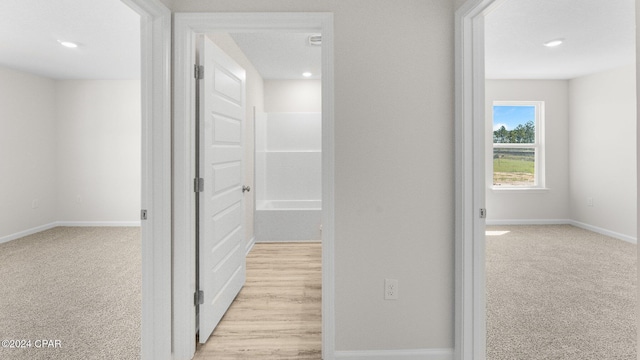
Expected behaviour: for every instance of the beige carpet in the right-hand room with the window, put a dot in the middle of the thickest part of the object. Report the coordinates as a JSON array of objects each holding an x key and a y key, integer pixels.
[{"x": 560, "y": 292}]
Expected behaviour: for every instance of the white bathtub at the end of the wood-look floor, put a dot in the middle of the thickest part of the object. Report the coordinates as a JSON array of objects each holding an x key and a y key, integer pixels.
[{"x": 288, "y": 220}]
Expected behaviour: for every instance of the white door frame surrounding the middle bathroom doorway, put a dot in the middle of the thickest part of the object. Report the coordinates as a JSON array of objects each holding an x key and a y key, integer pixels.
[{"x": 186, "y": 27}]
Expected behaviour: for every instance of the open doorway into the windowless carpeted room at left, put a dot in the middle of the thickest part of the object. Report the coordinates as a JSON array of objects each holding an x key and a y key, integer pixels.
[{"x": 72, "y": 196}]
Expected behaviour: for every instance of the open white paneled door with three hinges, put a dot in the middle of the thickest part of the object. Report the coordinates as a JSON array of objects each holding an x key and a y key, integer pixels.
[{"x": 221, "y": 208}]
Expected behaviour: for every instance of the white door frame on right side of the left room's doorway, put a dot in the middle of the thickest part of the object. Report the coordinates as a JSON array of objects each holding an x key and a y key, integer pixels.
[{"x": 155, "y": 44}]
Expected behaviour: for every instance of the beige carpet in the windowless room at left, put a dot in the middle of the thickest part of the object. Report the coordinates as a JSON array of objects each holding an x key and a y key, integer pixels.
[{"x": 81, "y": 286}]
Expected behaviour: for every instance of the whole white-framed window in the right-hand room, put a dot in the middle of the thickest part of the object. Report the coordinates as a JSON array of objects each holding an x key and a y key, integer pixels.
[{"x": 518, "y": 150}]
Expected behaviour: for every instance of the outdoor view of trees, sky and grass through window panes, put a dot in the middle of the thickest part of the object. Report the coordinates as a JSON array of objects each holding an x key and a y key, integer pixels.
[{"x": 514, "y": 145}]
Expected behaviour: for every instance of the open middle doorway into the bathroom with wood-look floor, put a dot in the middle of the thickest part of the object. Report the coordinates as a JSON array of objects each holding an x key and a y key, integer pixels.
[{"x": 280, "y": 302}]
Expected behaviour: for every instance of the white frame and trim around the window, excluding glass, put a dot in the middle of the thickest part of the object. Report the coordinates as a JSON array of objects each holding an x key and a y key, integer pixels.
[{"x": 539, "y": 146}]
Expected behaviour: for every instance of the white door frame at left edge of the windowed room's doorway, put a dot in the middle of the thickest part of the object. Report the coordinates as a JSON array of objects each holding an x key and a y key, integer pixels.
[{"x": 470, "y": 313}]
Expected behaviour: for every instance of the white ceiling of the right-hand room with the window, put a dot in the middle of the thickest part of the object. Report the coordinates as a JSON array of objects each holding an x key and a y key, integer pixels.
[{"x": 598, "y": 34}]
